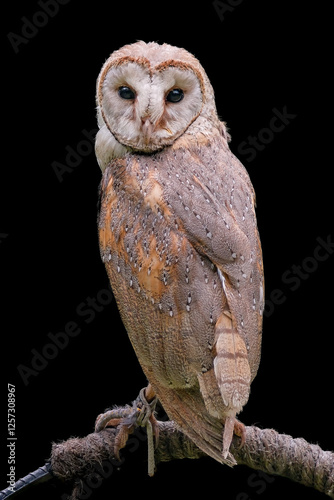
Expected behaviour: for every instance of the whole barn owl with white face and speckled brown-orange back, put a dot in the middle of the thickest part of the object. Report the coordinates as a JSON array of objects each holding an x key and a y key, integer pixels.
[{"x": 179, "y": 240}]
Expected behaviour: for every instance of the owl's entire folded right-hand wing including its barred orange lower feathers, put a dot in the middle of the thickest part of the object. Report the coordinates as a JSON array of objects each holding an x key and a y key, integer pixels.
[{"x": 213, "y": 197}]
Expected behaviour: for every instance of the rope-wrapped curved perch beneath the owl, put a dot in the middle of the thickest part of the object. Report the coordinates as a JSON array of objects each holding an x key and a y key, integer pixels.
[{"x": 265, "y": 449}]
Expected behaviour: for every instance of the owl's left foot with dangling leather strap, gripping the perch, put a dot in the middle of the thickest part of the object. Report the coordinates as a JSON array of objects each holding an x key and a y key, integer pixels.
[{"x": 140, "y": 414}]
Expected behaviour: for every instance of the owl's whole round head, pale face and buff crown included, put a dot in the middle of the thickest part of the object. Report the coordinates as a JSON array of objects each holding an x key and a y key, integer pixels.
[{"x": 149, "y": 94}]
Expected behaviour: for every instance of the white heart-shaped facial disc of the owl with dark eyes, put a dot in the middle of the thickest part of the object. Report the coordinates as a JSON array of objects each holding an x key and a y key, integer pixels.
[{"x": 147, "y": 109}]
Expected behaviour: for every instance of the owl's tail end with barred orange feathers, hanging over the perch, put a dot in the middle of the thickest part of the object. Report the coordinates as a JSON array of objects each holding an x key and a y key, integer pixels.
[{"x": 206, "y": 412}]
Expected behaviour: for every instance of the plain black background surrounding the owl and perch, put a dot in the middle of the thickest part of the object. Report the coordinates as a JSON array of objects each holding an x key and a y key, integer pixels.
[{"x": 262, "y": 55}]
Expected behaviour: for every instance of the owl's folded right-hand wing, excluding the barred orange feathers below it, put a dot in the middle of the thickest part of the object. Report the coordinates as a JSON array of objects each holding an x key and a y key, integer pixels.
[{"x": 212, "y": 196}]
